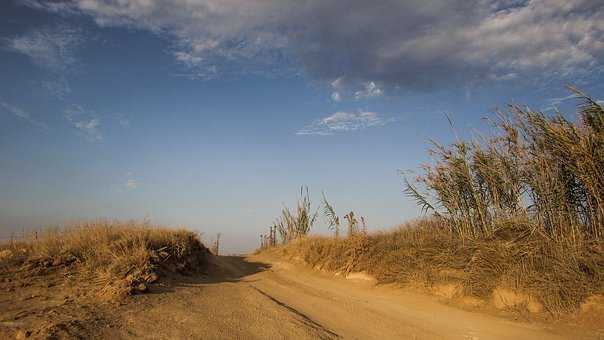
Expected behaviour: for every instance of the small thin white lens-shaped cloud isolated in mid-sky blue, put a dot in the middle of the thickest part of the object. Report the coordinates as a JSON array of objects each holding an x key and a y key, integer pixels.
[{"x": 342, "y": 121}]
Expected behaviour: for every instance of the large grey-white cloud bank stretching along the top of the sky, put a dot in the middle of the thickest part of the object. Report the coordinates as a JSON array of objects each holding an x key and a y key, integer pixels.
[{"x": 411, "y": 44}]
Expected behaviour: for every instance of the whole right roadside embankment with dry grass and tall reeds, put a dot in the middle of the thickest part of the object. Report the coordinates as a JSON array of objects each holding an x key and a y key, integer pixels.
[{"x": 519, "y": 214}]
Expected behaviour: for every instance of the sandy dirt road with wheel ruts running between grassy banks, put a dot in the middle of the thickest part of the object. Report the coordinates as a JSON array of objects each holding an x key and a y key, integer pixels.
[{"x": 259, "y": 298}]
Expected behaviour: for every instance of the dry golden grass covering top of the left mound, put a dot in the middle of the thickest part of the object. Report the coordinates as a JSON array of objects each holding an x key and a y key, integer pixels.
[{"x": 119, "y": 258}]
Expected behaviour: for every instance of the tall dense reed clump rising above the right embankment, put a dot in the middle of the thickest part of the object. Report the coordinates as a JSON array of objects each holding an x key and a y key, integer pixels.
[{"x": 539, "y": 173}]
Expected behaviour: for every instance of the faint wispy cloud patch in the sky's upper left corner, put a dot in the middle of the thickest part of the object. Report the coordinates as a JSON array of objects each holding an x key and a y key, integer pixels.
[{"x": 52, "y": 48}]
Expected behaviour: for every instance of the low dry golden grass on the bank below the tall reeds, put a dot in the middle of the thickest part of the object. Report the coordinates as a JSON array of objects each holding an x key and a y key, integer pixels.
[{"x": 425, "y": 253}]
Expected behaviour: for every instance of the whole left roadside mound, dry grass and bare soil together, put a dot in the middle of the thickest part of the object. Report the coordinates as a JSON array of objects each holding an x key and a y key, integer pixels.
[{"x": 67, "y": 284}]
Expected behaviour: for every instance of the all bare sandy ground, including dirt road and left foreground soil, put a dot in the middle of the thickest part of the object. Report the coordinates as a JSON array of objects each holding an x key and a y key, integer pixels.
[{"x": 252, "y": 297}]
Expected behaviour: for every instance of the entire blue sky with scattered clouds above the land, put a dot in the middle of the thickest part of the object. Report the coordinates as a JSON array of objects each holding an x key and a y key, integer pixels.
[{"x": 211, "y": 114}]
